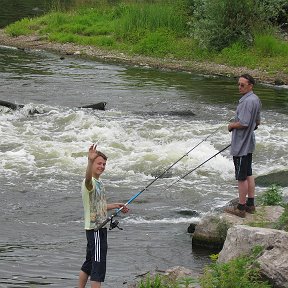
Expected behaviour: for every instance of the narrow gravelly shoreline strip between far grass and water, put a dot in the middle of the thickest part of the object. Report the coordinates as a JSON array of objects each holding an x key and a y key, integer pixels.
[{"x": 36, "y": 42}]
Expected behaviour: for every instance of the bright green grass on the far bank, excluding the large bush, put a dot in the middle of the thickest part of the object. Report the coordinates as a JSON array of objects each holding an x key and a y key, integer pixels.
[{"x": 162, "y": 29}]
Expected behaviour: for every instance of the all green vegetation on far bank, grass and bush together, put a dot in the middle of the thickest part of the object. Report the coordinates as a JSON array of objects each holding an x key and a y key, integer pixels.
[{"x": 244, "y": 33}]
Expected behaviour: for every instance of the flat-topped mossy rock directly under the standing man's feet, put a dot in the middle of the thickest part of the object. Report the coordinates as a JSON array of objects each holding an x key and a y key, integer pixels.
[{"x": 211, "y": 231}]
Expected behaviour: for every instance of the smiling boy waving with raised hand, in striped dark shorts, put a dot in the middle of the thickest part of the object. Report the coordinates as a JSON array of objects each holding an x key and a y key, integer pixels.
[{"x": 95, "y": 212}]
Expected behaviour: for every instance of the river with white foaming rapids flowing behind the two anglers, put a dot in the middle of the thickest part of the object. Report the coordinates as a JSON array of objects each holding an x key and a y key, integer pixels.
[{"x": 152, "y": 119}]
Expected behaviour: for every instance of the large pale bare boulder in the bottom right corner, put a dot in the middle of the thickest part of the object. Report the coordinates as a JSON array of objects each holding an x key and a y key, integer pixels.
[{"x": 241, "y": 239}]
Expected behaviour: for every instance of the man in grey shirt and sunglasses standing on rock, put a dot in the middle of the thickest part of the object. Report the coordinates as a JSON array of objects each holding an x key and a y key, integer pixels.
[{"x": 247, "y": 119}]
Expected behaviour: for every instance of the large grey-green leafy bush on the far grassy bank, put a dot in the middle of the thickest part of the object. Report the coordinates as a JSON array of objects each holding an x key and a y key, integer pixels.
[{"x": 219, "y": 23}]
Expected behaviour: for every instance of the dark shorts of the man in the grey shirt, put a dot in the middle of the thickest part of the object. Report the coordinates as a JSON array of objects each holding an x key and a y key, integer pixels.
[{"x": 243, "y": 166}]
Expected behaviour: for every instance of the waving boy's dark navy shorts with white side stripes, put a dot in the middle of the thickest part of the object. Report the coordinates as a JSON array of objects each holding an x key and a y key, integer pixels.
[{"x": 96, "y": 252}]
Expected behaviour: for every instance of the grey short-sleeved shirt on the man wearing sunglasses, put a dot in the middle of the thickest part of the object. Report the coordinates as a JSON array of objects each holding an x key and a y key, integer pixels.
[{"x": 248, "y": 114}]
